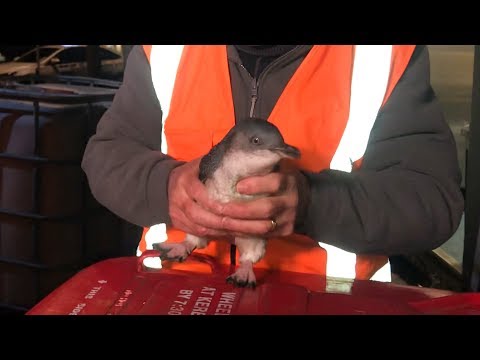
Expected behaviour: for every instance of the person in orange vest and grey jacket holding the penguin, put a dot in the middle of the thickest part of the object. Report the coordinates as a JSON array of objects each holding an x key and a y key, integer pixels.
[{"x": 378, "y": 173}]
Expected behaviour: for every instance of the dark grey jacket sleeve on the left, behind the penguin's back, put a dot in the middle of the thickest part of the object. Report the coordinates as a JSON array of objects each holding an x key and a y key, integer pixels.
[{"x": 126, "y": 170}]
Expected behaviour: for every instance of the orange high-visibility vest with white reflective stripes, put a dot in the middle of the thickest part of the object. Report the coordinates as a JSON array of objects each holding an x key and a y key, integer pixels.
[{"x": 327, "y": 110}]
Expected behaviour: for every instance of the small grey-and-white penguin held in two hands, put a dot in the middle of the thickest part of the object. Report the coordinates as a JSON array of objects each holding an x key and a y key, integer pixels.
[{"x": 252, "y": 147}]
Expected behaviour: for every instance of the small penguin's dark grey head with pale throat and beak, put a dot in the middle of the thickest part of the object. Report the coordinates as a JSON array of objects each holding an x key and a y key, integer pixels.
[{"x": 258, "y": 144}]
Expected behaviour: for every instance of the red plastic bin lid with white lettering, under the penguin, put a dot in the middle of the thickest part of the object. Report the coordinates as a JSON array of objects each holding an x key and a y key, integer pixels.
[{"x": 122, "y": 286}]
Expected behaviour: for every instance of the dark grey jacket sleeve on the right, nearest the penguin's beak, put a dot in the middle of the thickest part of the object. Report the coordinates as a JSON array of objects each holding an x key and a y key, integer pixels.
[{"x": 406, "y": 196}]
